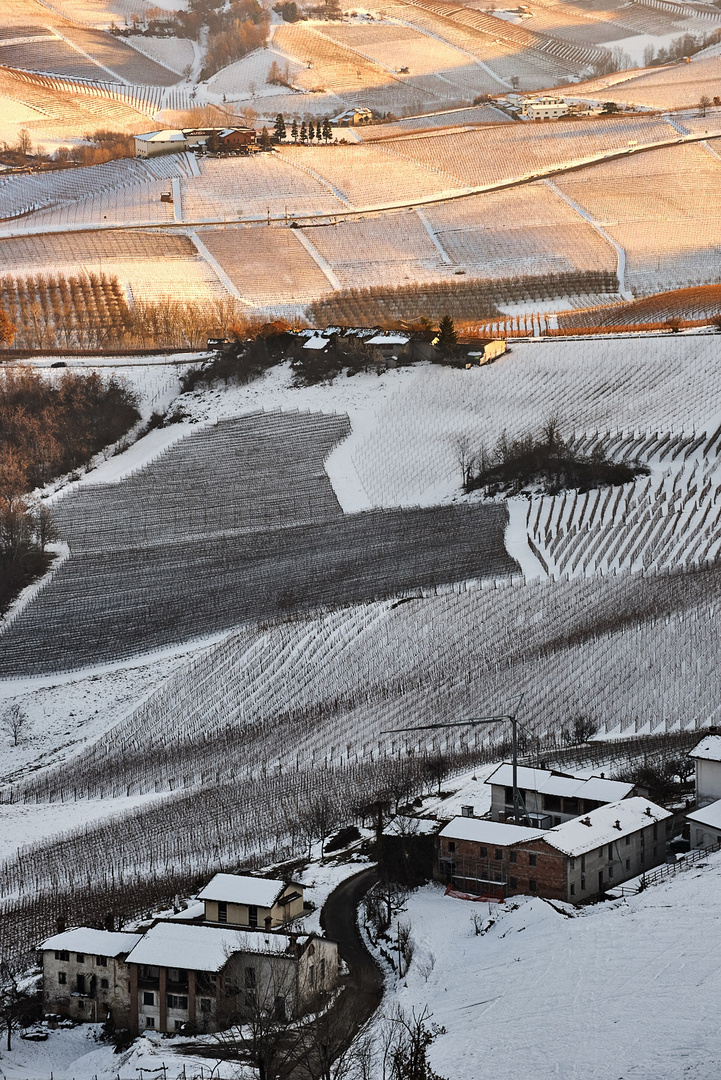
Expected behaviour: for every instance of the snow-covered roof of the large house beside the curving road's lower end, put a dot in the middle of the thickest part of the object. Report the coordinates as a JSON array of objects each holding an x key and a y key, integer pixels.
[{"x": 202, "y": 949}]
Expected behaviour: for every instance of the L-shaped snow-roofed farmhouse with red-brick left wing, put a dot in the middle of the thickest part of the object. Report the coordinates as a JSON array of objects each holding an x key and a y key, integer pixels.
[{"x": 576, "y": 861}]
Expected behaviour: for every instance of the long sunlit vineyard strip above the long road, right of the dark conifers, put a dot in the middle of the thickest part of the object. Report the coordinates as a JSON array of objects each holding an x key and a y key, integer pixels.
[{"x": 478, "y": 158}]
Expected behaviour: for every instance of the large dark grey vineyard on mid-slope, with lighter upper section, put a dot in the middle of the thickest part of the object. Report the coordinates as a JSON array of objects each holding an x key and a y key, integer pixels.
[{"x": 154, "y": 565}]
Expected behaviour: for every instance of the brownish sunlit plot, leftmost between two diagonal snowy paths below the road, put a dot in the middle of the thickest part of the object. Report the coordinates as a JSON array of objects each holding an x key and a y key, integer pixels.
[{"x": 268, "y": 267}]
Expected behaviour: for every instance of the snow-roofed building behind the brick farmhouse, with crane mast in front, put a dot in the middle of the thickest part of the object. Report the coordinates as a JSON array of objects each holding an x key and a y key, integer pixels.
[{"x": 552, "y": 798}]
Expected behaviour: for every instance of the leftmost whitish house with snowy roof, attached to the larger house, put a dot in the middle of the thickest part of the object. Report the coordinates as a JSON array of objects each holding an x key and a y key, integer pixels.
[{"x": 86, "y": 977}]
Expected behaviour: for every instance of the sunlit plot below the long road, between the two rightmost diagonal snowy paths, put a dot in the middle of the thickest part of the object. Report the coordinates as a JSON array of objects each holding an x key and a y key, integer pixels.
[{"x": 527, "y": 231}]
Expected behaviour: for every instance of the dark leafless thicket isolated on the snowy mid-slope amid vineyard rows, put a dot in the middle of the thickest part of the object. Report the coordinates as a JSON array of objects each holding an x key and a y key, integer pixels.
[{"x": 548, "y": 464}]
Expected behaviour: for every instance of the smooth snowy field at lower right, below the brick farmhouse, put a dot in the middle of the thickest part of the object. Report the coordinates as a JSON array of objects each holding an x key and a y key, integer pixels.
[{"x": 623, "y": 991}]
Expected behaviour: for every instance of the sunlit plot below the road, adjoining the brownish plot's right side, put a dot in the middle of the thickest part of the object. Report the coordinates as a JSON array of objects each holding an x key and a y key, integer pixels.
[{"x": 396, "y": 248}]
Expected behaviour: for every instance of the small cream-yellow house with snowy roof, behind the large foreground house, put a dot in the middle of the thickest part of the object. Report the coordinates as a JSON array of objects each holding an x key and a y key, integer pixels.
[{"x": 251, "y": 902}]
